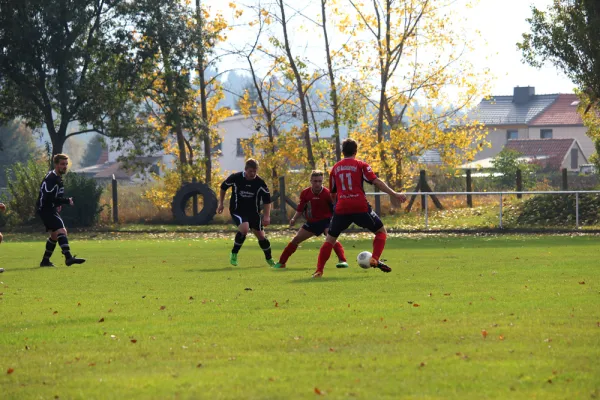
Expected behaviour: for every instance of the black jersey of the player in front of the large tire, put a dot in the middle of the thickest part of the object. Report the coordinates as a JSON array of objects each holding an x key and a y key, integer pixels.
[{"x": 246, "y": 193}]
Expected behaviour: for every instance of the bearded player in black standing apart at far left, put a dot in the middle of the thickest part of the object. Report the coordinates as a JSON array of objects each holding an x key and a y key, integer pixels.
[{"x": 50, "y": 201}]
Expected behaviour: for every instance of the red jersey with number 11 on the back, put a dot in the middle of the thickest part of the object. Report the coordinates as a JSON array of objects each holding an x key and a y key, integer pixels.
[{"x": 346, "y": 179}]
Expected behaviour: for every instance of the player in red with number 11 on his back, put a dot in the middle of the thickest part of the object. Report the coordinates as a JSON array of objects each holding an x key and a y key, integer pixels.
[{"x": 346, "y": 180}]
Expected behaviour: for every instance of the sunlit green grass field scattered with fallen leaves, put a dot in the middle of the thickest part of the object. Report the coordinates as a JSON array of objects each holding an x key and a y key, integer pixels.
[{"x": 164, "y": 316}]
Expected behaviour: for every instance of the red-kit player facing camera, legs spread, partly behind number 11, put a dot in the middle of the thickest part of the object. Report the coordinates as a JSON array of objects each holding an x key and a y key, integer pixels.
[{"x": 316, "y": 205}]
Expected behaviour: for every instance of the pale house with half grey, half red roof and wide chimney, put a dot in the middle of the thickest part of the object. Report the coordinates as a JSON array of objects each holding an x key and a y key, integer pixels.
[{"x": 525, "y": 115}]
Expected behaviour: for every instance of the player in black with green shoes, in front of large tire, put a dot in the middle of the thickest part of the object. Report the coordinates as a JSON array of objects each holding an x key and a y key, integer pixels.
[{"x": 248, "y": 190}]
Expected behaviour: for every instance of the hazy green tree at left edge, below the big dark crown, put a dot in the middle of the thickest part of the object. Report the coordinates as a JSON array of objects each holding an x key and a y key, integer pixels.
[{"x": 18, "y": 146}]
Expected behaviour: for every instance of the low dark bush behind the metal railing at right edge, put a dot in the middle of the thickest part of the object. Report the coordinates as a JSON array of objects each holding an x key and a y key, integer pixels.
[{"x": 559, "y": 209}]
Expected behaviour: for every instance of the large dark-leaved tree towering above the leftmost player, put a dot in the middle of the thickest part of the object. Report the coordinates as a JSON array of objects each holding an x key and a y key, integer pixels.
[{"x": 63, "y": 62}]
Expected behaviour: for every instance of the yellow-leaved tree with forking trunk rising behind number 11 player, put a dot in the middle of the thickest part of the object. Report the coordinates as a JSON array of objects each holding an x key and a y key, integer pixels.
[{"x": 414, "y": 55}]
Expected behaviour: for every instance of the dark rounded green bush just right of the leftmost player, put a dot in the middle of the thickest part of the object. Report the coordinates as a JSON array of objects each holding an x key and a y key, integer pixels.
[{"x": 86, "y": 194}]
